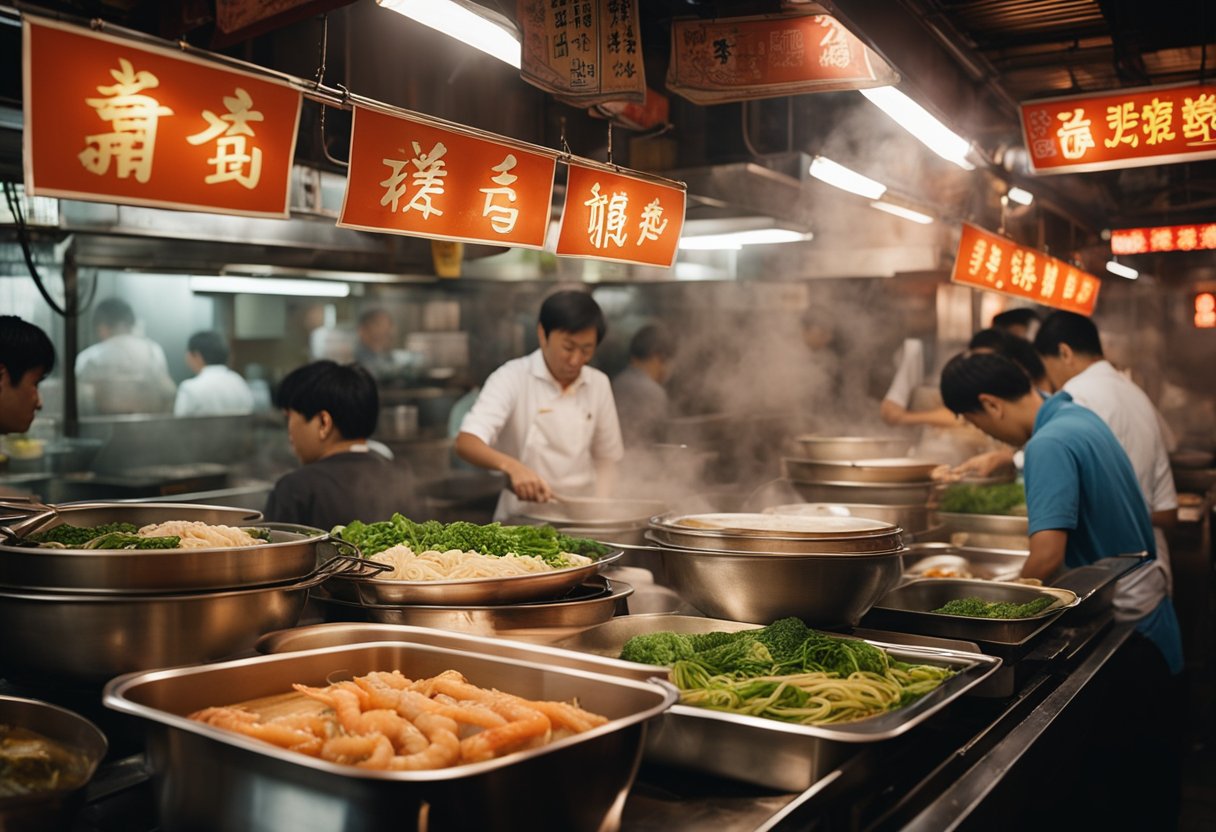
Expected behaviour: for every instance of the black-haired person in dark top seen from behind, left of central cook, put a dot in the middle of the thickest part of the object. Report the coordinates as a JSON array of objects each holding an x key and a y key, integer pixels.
[{"x": 331, "y": 412}]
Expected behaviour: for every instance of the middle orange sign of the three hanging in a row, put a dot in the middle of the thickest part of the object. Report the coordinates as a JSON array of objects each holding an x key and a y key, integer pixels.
[{"x": 410, "y": 177}]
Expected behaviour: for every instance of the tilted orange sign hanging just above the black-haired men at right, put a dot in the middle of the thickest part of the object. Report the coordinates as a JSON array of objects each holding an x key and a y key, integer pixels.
[{"x": 998, "y": 265}]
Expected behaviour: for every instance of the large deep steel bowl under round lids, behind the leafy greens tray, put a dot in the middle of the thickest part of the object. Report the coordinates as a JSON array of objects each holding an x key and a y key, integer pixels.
[{"x": 824, "y": 591}]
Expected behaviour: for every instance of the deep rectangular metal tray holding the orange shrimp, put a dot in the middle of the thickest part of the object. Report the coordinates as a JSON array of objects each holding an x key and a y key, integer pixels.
[{"x": 209, "y": 779}]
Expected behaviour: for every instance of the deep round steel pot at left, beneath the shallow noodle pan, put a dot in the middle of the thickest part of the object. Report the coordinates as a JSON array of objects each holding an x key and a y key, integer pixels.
[{"x": 92, "y": 638}]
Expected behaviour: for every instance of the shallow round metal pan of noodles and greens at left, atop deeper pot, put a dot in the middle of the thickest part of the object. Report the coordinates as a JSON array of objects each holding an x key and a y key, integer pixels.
[{"x": 292, "y": 554}]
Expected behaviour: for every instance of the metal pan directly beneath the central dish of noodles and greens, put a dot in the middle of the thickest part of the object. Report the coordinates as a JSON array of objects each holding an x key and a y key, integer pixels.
[{"x": 594, "y": 603}]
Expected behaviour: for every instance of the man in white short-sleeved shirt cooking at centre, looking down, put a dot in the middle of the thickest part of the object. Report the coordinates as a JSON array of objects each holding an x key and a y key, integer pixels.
[{"x": 548, "y": 420}]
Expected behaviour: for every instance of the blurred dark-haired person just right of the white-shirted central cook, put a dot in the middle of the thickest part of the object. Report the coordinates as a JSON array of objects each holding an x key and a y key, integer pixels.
[{"x": 638, "y": 390}]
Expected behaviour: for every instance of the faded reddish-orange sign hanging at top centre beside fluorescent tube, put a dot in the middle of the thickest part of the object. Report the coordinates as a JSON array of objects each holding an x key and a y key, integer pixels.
[{"x": 738, "y": 59}]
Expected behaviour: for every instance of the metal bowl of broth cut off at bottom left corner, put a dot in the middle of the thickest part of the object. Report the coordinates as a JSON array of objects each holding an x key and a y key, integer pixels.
[{"x": 50, "y": 811}]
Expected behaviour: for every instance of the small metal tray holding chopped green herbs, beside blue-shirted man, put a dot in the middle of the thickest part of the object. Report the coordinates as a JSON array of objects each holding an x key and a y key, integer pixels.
[{"x": 909, "y": 608}]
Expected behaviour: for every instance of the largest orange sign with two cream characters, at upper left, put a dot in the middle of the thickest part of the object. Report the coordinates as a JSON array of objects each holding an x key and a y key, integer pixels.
[{"x": 115, "y": 122}]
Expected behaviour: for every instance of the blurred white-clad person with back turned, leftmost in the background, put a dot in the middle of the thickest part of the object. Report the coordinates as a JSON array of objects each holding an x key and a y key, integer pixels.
[{"x": 125, "y": 373}]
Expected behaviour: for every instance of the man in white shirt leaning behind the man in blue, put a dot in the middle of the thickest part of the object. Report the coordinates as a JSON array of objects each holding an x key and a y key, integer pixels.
[{"x": 1072, "y": 353}]
